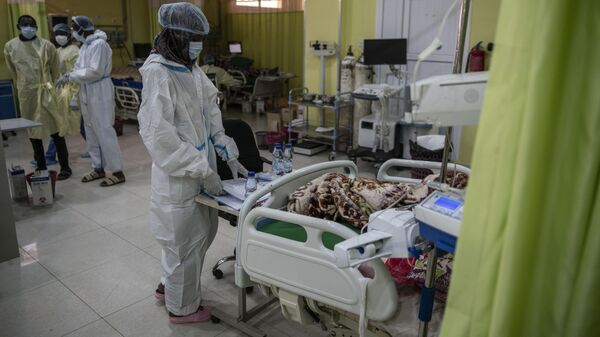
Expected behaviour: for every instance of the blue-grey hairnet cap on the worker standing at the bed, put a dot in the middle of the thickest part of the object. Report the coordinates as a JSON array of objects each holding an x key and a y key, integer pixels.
[{"x": 183, "y": 16}]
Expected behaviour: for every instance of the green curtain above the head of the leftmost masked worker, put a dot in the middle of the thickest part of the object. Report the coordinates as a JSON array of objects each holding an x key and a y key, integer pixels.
[{"x": 35, "y": 8}]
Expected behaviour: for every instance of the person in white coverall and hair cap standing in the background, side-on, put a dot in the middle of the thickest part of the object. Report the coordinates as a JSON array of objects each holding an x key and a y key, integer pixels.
[{"x": 96, "y": 99}]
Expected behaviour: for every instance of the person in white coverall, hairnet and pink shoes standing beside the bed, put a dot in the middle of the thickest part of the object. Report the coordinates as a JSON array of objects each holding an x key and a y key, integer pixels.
[{"x": 180, "y": 124}]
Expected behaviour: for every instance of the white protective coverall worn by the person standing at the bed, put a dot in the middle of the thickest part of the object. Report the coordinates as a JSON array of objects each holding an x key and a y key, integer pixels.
[{"x": 180, "y": 124}]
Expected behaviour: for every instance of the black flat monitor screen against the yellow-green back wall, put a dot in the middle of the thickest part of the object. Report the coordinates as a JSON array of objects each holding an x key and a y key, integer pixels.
[{"x": 385, "y": 51}]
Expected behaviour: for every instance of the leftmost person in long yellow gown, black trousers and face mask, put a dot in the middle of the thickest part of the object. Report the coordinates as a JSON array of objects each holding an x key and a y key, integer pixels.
[{"x": 34, "y": 66}]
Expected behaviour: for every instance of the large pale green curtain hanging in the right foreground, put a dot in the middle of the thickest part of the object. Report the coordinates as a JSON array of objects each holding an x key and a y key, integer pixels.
[{"x": 528, "y": 256}]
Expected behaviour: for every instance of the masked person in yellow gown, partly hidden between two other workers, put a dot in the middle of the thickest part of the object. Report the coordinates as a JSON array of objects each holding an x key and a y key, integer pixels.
[{"x": 68, "y": 100}]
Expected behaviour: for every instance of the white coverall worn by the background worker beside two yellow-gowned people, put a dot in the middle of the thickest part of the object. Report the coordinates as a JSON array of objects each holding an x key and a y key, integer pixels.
[{"x": 97, "y": 102}]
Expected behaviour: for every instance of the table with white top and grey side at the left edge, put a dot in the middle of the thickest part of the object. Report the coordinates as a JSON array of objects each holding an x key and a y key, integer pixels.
[{"x": 9, "y": 247}]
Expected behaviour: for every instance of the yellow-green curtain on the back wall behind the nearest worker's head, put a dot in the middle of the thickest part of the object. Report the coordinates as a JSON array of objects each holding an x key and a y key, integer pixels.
[{"x": 272, "y": 39}]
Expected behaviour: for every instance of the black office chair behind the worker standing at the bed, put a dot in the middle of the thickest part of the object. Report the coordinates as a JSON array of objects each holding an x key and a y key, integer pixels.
[{"x": 250, "y": 157}]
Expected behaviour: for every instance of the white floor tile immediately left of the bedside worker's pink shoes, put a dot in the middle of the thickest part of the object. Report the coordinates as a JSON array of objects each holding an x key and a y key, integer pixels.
[{"x": 117, "y": 283}]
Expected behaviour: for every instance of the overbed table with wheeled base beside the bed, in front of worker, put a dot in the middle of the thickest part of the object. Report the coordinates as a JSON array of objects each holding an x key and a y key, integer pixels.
[{"x": 240, "y": 322}]
